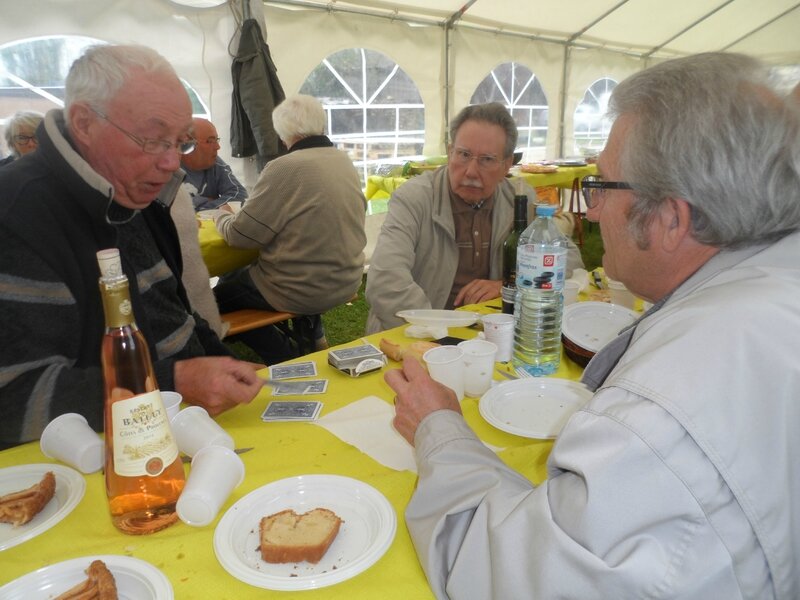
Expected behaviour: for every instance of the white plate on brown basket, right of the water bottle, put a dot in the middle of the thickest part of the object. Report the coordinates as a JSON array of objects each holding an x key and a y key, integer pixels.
[{"x": 591, "y": 325}]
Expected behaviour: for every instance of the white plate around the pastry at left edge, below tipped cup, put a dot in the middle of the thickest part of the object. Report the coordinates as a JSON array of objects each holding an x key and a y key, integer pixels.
[{"x": 70, "y": 486}]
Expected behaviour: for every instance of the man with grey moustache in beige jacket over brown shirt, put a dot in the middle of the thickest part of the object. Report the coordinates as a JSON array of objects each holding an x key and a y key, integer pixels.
[{"x": 441, "y": 244}]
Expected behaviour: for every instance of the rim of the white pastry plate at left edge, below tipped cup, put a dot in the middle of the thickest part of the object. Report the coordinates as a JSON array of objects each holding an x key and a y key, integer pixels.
[{"x": 65, "y": 476}]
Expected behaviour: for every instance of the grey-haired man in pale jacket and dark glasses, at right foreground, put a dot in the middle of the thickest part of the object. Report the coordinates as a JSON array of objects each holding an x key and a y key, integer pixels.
[{"x": 679, "y": 478}]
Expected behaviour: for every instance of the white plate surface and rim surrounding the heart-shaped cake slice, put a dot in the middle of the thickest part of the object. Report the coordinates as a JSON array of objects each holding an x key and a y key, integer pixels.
[{"x": 365, "y": 535}]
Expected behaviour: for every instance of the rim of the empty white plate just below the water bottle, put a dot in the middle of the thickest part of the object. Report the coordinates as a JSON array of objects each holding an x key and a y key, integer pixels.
[{"x": 498, "y": 392}]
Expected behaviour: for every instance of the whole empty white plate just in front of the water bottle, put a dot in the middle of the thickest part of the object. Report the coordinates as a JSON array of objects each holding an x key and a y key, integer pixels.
[{"x": 533, "y": 407}]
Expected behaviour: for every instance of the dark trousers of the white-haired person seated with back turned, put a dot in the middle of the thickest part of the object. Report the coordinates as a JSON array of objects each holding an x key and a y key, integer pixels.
[{"x": 274, "y": 343}]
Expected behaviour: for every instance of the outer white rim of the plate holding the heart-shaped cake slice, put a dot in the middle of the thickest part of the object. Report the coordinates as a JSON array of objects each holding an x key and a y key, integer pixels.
[{"x": 239, "y": 512}]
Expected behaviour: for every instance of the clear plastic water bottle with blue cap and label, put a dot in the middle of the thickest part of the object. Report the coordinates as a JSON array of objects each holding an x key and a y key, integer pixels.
[{"x": 541, "y": 265}]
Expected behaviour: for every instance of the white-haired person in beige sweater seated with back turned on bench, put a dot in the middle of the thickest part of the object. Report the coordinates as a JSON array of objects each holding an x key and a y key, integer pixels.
[{"x": 306, "y": 217}]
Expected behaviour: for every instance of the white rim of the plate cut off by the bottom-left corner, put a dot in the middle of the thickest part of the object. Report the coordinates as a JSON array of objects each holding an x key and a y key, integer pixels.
[{"x": 147, "y": 572}]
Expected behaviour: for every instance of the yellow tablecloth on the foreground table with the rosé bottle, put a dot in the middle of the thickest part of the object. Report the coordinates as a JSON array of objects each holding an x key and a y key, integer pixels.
[{"x": 186, "y": 555}]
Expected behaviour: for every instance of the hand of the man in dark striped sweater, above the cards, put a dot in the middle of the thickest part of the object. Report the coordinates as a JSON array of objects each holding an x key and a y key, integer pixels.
[{"x": 217, "y": 383}]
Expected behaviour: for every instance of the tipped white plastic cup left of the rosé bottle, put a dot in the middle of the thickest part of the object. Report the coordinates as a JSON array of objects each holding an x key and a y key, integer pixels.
[{"x": 69, "y": 438}]
